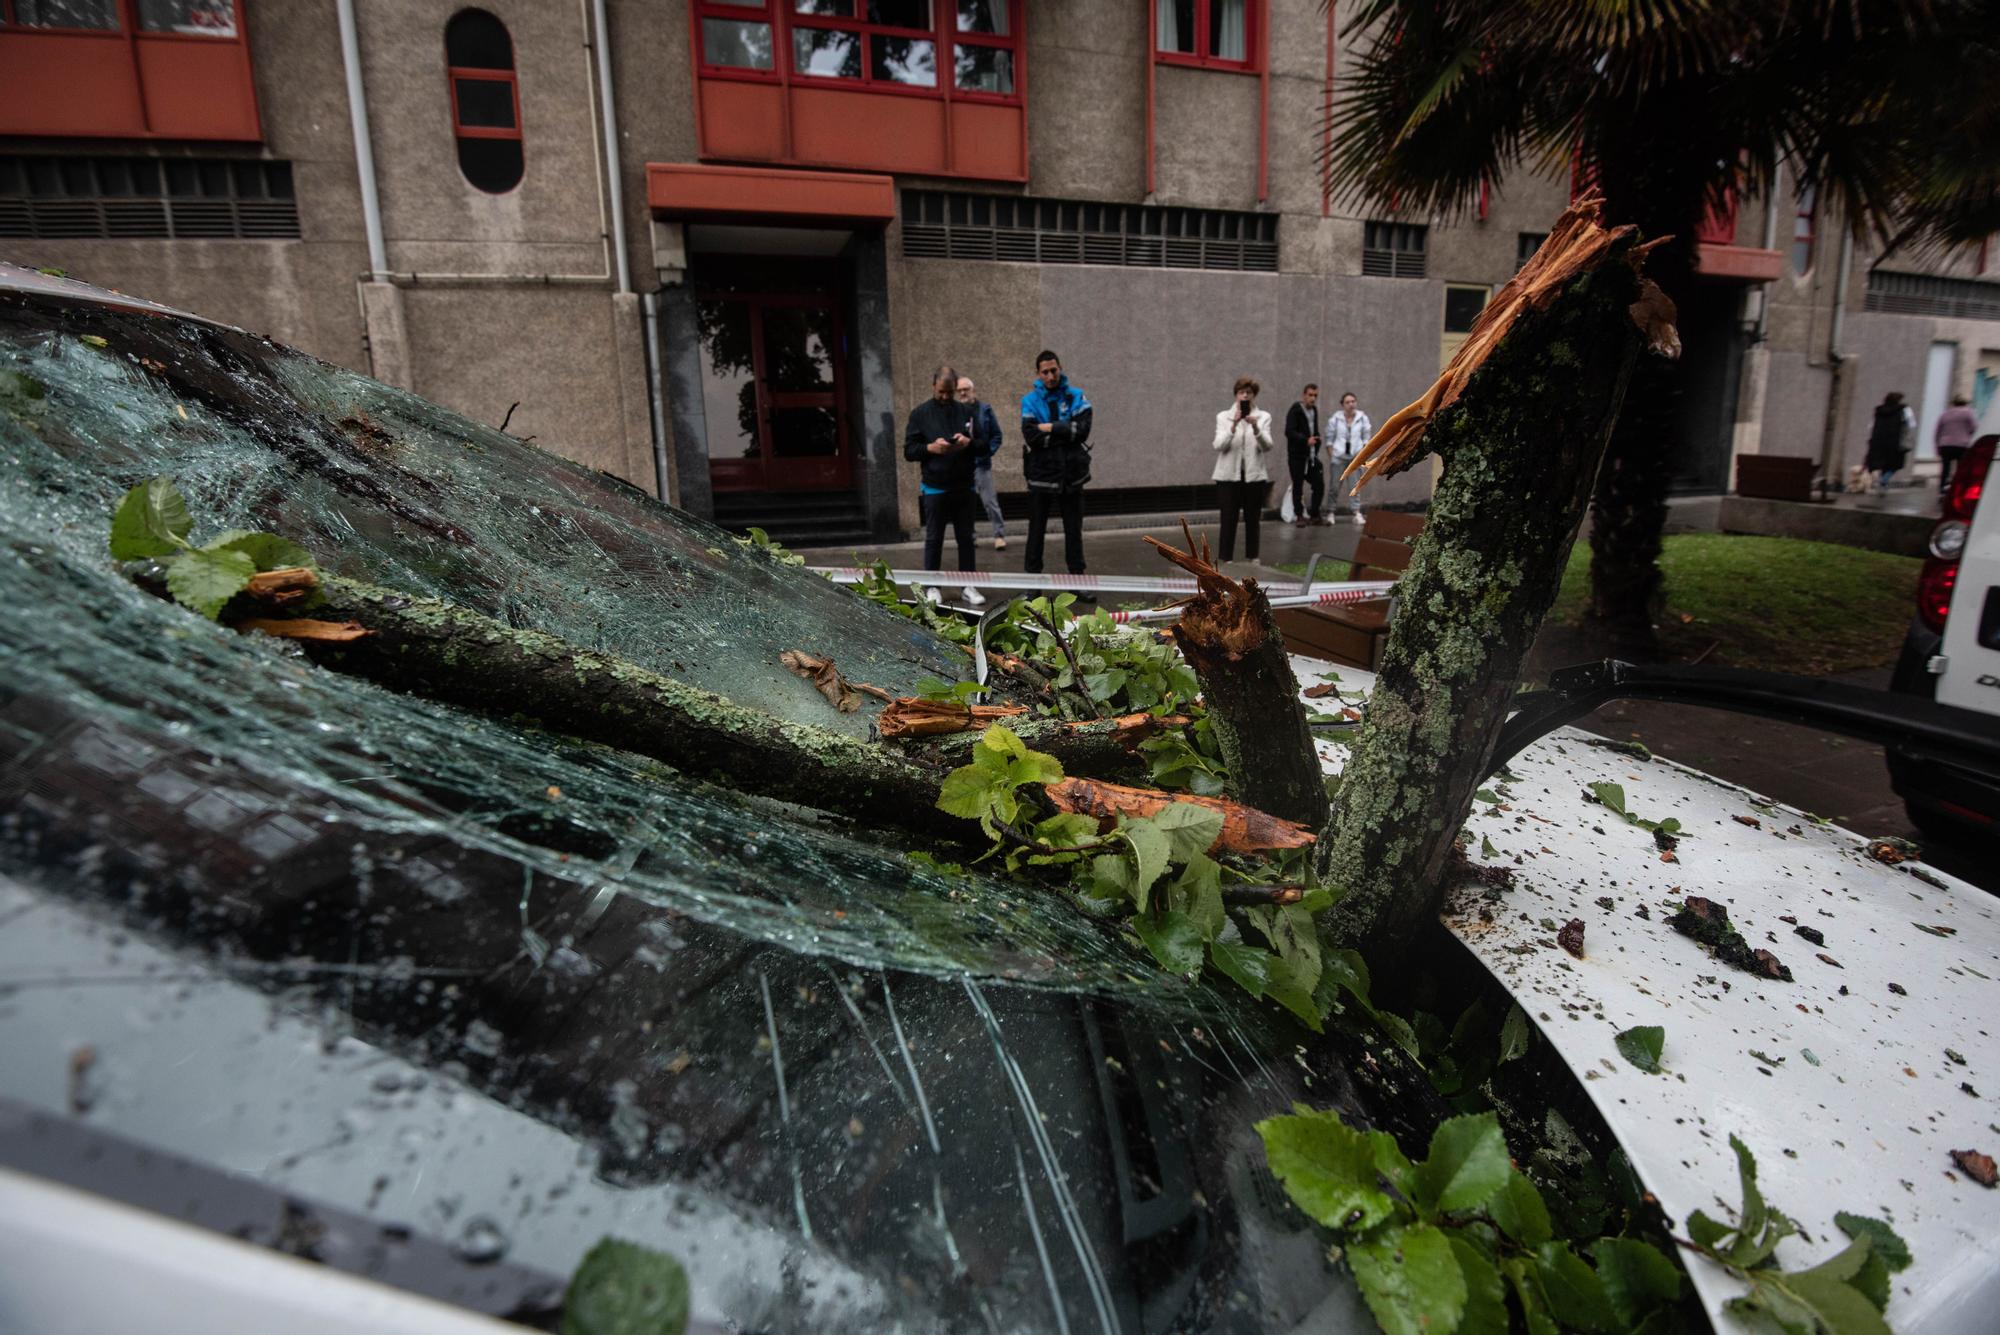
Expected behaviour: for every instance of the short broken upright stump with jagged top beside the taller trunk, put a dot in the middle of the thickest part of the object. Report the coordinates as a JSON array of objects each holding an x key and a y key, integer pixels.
[{"x": 1233, "y": 643}]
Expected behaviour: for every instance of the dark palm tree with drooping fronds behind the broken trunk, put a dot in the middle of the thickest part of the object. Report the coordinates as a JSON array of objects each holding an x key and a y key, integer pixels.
[{"x": 1887, "y": 107}]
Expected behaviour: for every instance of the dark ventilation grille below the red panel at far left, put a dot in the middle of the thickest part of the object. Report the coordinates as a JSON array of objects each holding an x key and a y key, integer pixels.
[{"x": 141, "y": 199}]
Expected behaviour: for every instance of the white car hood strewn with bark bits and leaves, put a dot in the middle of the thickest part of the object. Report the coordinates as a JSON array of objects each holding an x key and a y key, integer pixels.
[{"x": 1857, "y": 1096}]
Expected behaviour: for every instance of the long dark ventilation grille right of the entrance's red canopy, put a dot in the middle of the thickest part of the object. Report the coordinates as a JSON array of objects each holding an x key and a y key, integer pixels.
[{"x": 941, "y": 225}]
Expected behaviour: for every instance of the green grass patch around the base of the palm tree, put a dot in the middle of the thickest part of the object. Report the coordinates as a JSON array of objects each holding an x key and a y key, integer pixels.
[{"x": 1781, "y": 605}]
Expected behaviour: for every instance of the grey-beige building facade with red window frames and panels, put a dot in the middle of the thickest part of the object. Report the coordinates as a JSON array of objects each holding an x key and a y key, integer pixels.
[{"x": 717, "y": 247}]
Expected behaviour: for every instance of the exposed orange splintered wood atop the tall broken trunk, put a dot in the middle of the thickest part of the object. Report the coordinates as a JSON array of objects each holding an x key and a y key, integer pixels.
[{"x": 1577, "y": 245}]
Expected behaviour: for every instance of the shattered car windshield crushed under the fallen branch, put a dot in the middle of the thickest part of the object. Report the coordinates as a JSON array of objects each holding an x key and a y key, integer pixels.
[{"x": 461, "y": 982}]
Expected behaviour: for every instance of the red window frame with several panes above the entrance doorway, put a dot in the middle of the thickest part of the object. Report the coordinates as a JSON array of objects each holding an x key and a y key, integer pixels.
[{"x": 943, "y": 35}]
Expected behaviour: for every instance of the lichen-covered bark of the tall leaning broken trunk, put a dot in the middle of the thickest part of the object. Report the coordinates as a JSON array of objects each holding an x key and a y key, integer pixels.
[{"x": 1521, "y": 451}]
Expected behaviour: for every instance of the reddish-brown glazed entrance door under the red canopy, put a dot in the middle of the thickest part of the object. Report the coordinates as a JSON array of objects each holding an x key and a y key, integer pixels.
[{"x": 775, "y": 391}]
